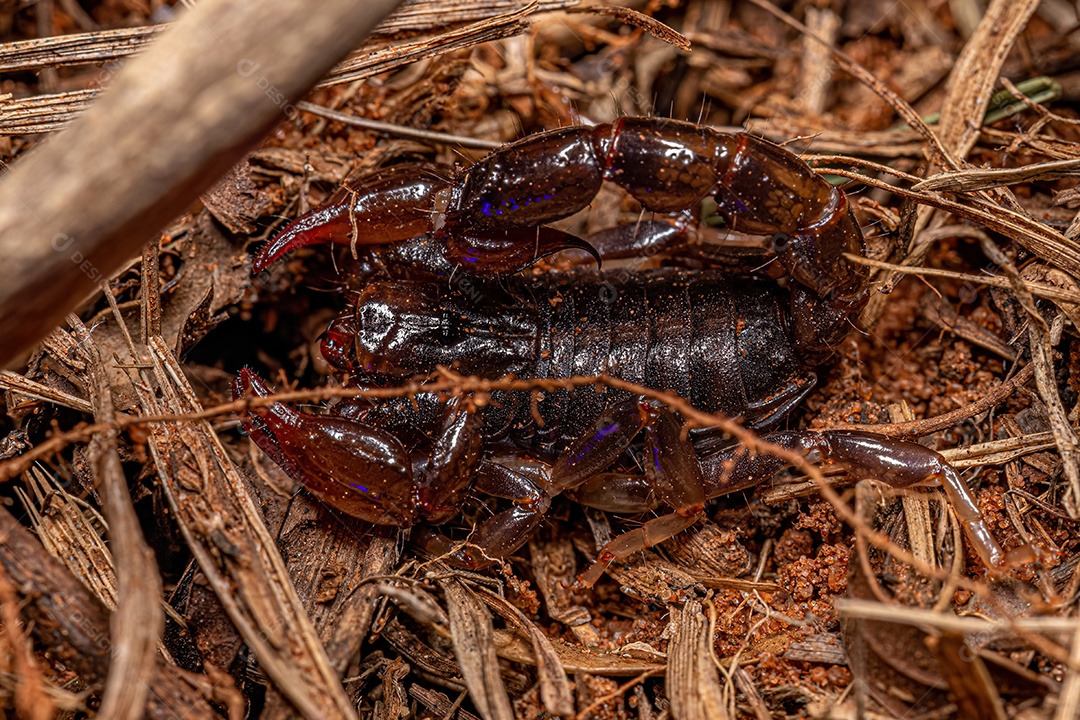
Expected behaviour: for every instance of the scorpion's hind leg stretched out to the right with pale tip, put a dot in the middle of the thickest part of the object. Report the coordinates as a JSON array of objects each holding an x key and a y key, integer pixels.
[{"x": 868, "y": 456}]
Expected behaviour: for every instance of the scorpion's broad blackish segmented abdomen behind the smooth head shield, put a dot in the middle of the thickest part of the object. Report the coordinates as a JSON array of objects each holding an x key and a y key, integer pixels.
[{"x": 723, "y": 345}]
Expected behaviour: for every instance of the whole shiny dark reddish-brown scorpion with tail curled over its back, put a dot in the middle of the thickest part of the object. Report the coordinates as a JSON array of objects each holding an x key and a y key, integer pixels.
[{"x": 745, "y": 348}]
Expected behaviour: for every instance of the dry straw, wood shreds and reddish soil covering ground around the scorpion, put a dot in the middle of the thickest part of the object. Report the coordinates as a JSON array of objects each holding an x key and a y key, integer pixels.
[{"x": 957, "y": 139}]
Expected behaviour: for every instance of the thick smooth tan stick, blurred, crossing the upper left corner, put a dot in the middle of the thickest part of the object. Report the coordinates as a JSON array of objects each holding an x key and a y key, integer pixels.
[{"x": 173, "y": 121}]
